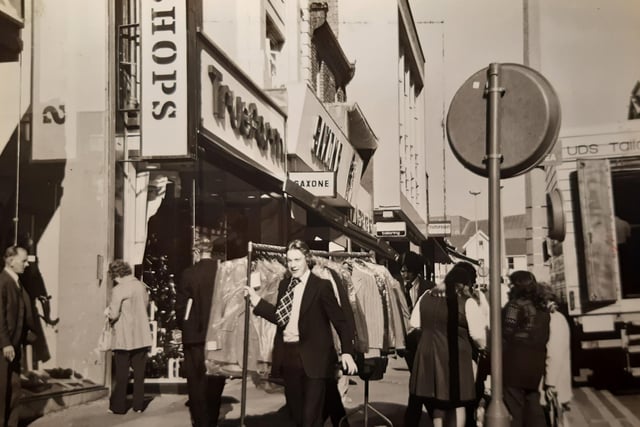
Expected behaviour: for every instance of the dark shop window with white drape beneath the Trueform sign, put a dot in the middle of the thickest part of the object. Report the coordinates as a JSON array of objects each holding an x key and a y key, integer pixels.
[{"x": 176, "y": 205}]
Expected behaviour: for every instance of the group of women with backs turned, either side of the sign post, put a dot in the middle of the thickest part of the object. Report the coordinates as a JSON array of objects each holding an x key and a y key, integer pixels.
[{"x": 449, "y": 372}]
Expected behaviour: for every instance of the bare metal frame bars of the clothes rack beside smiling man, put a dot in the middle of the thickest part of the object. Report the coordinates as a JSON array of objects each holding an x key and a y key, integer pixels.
[{"x": 272, "y": 249}]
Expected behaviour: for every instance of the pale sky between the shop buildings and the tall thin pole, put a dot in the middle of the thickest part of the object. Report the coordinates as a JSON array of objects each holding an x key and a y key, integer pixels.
[{"x": 460, "y": 37}]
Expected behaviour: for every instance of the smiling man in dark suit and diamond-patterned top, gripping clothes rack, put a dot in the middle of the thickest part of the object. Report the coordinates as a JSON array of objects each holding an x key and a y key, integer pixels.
[{"x": 303, "y": 352}]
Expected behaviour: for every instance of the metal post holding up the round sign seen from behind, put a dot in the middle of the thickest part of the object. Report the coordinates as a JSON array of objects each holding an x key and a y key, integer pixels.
[{"x": 497, "y": 414}]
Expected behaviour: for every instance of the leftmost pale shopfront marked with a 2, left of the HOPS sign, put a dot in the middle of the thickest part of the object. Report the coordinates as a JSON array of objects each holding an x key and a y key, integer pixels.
[{"x": 56, "y": 153}]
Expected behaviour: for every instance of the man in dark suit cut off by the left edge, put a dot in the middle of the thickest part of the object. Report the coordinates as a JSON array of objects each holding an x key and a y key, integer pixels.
[{"x": 16, "y": 326}]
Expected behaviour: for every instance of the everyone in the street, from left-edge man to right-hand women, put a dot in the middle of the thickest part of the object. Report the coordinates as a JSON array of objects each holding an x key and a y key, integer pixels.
[{"x": 446, "y": 344}]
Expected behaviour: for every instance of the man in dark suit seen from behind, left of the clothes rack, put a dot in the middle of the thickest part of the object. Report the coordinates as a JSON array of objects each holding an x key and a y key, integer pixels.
[{"x": 193, "y": 306}]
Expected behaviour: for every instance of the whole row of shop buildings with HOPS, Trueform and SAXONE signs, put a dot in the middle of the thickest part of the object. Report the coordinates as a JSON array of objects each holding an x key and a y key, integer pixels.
[{"x": 146, "y": 125}]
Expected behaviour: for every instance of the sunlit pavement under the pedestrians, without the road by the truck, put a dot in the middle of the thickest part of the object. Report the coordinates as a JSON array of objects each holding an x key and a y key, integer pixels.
[{"x": 264, "y": 406}]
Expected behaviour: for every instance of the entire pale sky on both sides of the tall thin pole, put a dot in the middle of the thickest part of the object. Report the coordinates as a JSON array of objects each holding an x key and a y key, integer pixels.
[{"x": 583, "y": 47}]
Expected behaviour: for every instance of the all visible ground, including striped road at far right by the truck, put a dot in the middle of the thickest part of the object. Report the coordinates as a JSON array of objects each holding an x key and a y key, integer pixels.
[{"x": 265, "y": 407}]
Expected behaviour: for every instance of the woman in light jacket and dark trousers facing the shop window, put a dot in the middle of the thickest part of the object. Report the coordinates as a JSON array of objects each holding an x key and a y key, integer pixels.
[{"x": 132, "y": 336}]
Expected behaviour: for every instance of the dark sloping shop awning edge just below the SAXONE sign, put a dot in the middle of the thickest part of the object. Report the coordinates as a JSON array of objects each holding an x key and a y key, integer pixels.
[{"x": 338, "y": 220}]
